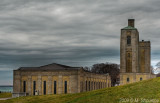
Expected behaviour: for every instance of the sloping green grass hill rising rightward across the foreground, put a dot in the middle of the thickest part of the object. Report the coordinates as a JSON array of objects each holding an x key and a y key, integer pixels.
[{"x": 141, "y": 92}]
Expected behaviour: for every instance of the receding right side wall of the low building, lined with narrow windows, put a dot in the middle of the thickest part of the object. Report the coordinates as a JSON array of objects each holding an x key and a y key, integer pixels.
[{"x": 91, "y": 81}]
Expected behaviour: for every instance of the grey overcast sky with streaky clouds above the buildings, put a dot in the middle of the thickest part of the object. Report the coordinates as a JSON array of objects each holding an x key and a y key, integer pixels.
[{"x": 71, "y": 32}]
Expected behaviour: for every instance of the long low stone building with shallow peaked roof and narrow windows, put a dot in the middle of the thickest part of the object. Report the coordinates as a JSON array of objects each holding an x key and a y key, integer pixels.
[{"x": 56, "y": 79}]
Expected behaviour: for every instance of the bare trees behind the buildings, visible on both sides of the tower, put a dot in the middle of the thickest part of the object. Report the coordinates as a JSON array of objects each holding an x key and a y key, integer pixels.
[{"x": 113, "y": 70}]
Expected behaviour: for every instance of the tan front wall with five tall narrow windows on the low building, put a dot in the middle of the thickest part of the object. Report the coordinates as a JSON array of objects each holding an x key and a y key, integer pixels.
[{"x": 39, "y": 77}]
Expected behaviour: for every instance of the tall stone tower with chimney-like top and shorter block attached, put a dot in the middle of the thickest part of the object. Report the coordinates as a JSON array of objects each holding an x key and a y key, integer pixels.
[{"x": 135, "y": 56}]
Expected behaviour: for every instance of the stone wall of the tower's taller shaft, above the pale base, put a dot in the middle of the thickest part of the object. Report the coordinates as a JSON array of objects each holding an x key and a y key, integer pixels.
[{"x": 132, "y": 49}]
